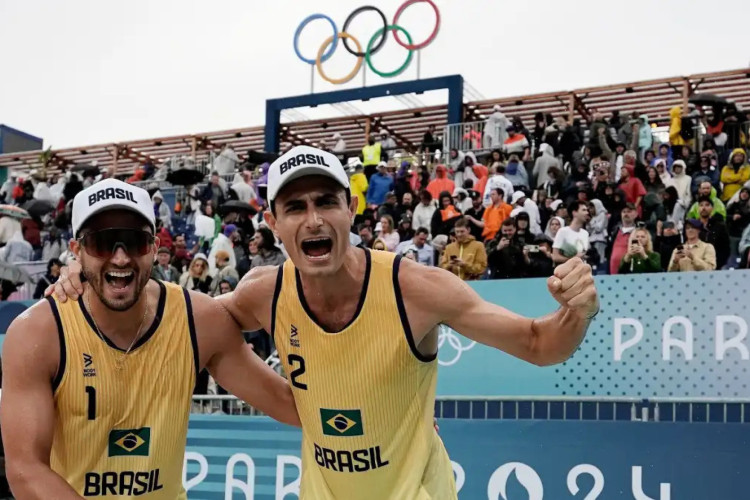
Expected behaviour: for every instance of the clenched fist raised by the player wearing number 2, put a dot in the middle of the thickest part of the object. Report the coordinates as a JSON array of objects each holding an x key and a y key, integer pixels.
[{"x": 572, "y": 285}]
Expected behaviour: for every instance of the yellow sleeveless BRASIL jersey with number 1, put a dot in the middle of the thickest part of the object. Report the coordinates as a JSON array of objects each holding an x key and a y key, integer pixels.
[{"x": 121, "y": 421}]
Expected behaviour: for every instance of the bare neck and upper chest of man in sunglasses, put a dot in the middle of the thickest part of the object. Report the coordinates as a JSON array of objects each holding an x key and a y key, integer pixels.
[{"x": 122, "y": 326}]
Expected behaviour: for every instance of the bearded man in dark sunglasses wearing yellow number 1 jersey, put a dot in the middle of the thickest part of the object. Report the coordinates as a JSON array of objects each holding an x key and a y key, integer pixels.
[{"x": 96, "y": 392}]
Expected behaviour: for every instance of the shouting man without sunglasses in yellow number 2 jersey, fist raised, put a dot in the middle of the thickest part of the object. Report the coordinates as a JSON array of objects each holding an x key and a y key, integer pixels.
[{"x": 356, "y": 333}]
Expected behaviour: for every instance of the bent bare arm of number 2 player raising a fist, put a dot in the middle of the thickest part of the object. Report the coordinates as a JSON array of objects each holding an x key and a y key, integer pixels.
[{"x": 542, "y": 341}]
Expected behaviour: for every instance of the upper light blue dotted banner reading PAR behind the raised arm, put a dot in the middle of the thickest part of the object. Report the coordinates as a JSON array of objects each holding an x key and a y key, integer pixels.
[{"x": 657, "y": 335}]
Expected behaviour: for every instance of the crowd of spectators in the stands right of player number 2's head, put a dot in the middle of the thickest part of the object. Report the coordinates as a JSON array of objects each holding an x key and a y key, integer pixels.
[{"x": 525, "y": 200}]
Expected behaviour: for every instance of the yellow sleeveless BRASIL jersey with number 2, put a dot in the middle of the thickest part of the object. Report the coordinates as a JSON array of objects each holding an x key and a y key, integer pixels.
[{"x": 365, "y": 395}]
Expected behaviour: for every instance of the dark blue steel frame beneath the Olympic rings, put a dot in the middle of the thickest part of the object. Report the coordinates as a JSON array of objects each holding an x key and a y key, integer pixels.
[{"x": 453, "y": 83}]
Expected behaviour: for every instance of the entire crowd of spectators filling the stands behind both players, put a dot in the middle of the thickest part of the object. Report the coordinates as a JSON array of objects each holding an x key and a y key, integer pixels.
[{"x": 522, "y": 202}]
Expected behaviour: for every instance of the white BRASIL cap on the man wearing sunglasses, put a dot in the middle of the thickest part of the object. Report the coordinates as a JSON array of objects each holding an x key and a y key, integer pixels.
[{"x": 111, "y": 194}]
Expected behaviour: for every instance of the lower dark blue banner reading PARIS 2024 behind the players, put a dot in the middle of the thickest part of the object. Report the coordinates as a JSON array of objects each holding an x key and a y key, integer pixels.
[{"x": 257, "y": 458}]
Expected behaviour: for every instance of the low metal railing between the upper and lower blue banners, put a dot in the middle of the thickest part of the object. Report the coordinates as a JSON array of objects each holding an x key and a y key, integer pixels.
[{"x": 693, "y": 410}]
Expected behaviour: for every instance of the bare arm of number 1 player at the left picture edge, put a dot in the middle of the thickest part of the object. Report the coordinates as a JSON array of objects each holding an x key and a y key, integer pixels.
[{"x": 27, "y": 414}]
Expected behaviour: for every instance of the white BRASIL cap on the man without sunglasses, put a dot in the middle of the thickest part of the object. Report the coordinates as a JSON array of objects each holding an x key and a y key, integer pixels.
[{"x": 300, "y": 161}]
